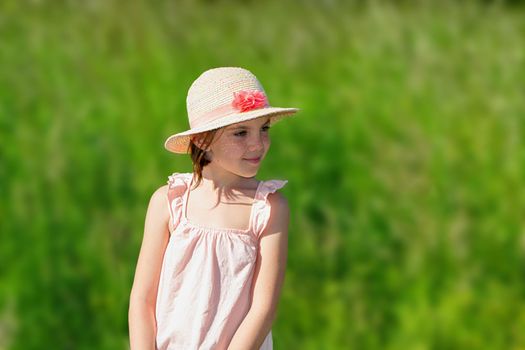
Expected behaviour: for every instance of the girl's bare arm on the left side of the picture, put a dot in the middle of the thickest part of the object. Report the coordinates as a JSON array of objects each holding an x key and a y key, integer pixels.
[{"x": 143, "y": 296}]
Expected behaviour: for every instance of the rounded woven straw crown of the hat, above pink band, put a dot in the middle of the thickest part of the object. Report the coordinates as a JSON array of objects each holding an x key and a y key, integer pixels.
[{"x": 215, "y": 88}]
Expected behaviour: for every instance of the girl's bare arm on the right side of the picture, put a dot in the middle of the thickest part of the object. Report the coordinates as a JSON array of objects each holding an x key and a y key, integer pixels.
[{"x": 267, "y": 279}]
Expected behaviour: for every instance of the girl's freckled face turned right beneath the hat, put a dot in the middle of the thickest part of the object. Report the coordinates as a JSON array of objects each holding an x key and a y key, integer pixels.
[{"x": 240, "y": 148}]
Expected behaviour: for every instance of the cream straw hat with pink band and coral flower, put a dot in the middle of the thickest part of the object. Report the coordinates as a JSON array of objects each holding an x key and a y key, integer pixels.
[{"x": 220, "y": 97}]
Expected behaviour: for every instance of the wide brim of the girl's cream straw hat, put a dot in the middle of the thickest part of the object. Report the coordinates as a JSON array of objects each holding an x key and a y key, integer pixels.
[{"x": 179, "y": 143}]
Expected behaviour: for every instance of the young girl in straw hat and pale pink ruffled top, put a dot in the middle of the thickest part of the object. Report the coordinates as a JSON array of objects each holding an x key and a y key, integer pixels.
[{"x": 213, "y": 256}]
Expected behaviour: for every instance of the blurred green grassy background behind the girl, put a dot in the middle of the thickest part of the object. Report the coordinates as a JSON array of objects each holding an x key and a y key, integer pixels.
[{"x": 405, "y": 164}]
